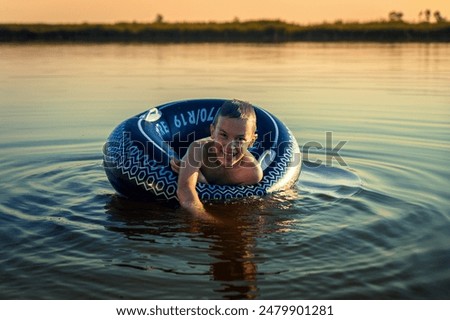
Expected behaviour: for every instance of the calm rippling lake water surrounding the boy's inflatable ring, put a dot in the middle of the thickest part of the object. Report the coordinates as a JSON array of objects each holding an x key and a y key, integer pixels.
[{"x": 372, "y": 221}]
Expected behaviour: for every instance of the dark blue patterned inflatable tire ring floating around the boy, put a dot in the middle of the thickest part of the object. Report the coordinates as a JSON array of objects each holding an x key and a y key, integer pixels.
[{"x": 137, "y": 153}]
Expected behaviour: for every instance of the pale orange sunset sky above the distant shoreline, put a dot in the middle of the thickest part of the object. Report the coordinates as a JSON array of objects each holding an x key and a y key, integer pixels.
[{"x": 298, "y": 11}]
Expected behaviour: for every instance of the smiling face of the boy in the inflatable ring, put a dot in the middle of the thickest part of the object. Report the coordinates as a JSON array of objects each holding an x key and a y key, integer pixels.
[{"x": 232, "y": 137}]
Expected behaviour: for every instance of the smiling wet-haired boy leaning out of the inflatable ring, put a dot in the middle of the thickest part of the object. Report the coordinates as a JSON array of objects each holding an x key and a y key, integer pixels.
[{"x": 222, "y": 158}]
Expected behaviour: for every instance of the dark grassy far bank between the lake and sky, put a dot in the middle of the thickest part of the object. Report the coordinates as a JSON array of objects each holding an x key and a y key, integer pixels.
[{"x": 250, "y": 31}]
